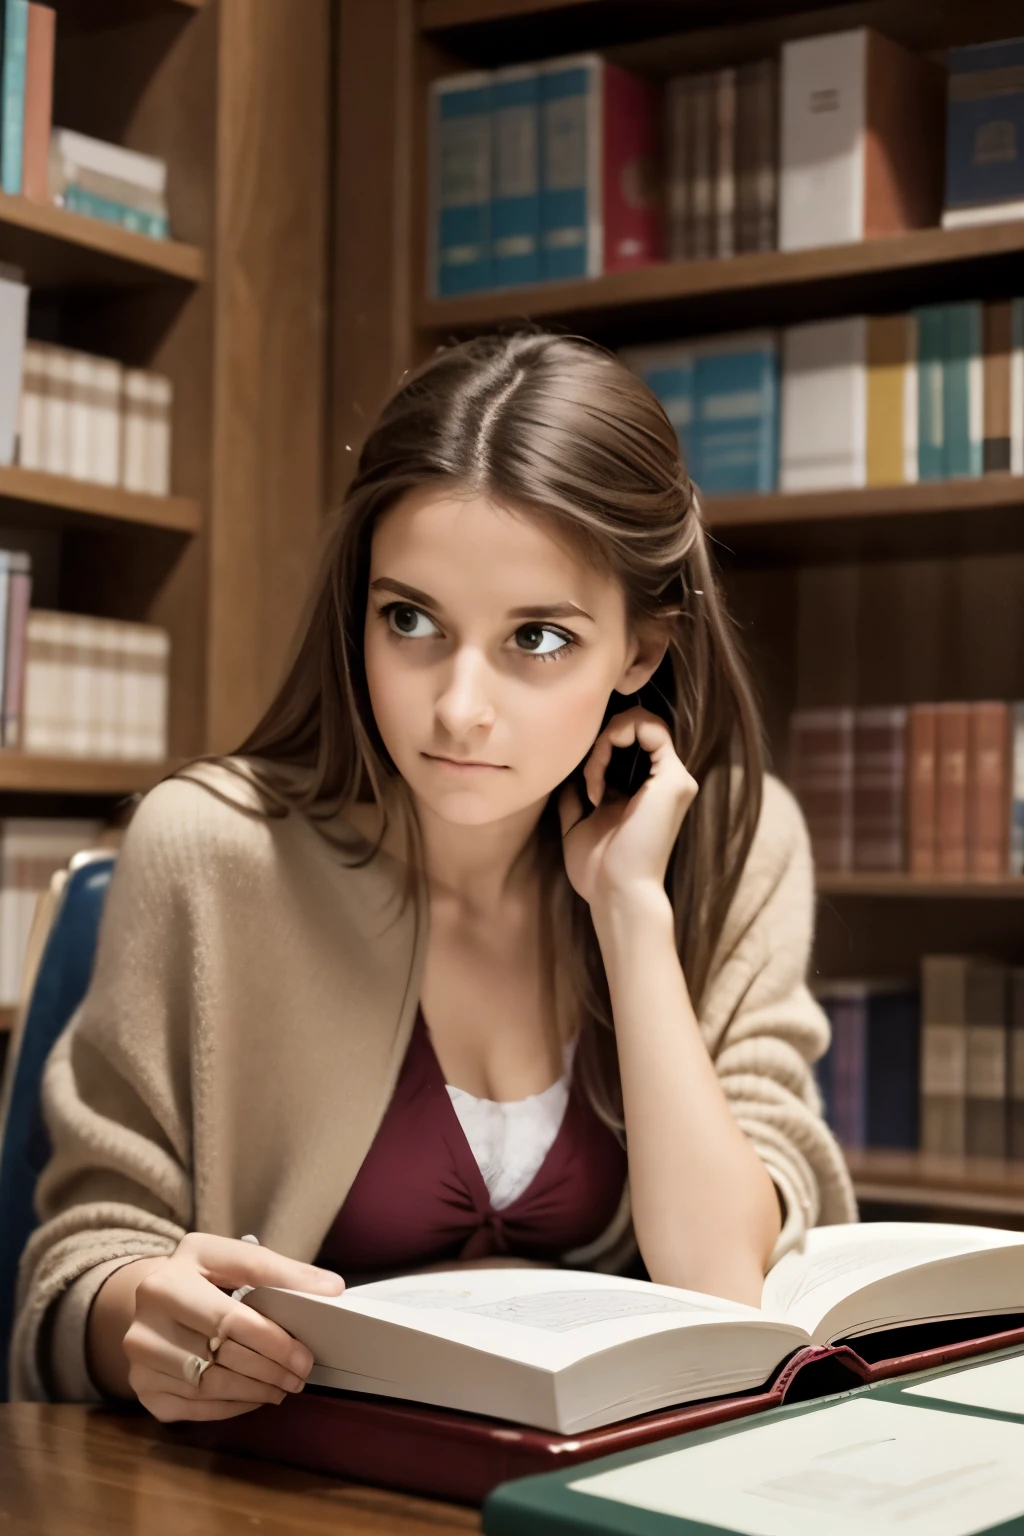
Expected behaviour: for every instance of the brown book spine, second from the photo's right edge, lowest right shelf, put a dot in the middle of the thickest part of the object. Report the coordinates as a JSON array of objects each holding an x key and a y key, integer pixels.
[{"x": 986, "y": 1062}]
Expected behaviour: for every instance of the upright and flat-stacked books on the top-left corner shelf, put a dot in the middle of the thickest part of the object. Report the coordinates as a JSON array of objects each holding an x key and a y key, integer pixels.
[{"x": 58, "y": 165}]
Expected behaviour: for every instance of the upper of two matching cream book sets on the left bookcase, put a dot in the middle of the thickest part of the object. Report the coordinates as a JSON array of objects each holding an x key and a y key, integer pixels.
[{"x": 93, "y": 419}]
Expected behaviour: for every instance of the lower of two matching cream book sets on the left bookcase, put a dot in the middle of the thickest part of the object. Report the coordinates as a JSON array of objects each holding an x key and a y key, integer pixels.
[{"x": 96, "y": 689}]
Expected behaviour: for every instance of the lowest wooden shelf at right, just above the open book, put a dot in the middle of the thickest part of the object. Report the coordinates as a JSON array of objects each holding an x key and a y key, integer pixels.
[{"x": 922, "y": 1179}]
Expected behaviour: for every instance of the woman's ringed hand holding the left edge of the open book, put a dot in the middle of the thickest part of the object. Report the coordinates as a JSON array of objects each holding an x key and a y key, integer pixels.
[{"x": 180, "y": 1306}]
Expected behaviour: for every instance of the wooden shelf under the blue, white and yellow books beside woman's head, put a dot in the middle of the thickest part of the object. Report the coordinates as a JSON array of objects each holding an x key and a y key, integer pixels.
[{"x": 956, "y": 517}]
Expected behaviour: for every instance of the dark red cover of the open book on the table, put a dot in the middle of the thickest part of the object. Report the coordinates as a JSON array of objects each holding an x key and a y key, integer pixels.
[{"x": 461, "y": 1457}]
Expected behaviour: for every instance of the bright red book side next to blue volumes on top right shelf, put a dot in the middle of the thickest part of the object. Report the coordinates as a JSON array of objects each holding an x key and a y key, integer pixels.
[{"x": 632, "y": 170}]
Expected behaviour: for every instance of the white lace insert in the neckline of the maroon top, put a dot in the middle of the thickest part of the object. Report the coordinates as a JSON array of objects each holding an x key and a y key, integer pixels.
[{"x": 510, "y": 1139}]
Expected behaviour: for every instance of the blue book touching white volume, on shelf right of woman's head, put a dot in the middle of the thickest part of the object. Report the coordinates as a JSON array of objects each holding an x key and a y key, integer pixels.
[{"x": 736, "y": 406}]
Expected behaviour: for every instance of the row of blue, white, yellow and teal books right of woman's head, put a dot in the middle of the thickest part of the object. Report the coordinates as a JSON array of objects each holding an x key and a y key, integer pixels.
[{"x": 848, "y": 403}]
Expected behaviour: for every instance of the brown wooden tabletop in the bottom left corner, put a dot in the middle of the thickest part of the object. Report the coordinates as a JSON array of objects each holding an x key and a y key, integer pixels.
[{"x": 71, "y": 1471}]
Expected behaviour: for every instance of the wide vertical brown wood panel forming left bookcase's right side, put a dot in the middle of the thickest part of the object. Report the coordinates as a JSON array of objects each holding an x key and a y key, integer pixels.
[{"x": 268, "y": 495}]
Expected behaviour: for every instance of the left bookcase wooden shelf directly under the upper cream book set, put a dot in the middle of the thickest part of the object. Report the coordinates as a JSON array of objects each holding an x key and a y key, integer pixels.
[{"x": 28, "y": 491}]
